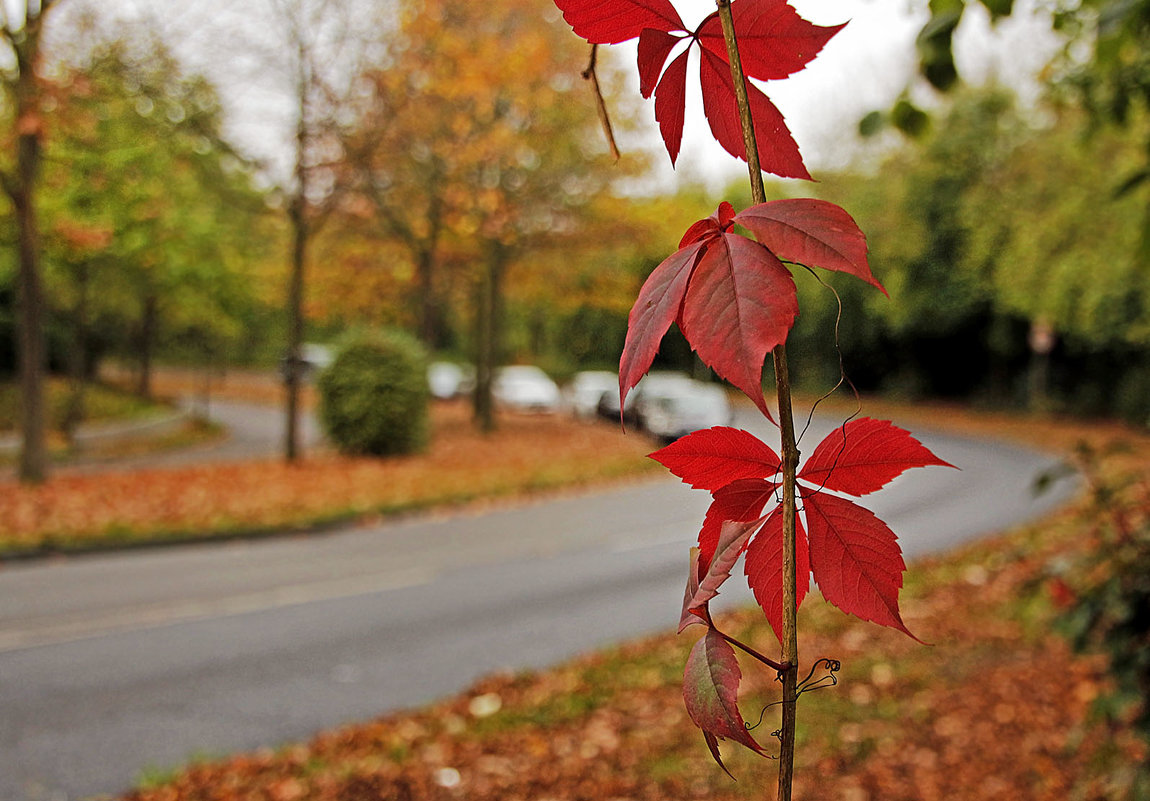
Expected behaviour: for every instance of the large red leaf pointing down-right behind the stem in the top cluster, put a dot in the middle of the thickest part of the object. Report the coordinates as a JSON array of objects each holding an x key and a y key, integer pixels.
[{"x": 778, "y": 152}]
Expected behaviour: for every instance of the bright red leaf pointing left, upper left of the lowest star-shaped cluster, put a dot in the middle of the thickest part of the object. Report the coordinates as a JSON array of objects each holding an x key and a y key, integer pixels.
[{"x": 714, "y": 458}]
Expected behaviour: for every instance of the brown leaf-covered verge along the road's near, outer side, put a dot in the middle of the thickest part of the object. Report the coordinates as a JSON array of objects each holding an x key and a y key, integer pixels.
[{"x": 995, "y": 710}]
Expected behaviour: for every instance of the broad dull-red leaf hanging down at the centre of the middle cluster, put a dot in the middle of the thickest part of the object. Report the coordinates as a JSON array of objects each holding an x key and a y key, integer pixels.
[{"x": 739, "y": 306}]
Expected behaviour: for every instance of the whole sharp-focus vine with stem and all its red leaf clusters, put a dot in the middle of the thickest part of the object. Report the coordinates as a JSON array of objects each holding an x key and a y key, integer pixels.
[{"x": 734, "y": 299}]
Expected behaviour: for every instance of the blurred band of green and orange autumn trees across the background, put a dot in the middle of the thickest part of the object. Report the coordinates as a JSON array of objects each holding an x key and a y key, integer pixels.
[{"x": 467, "y": 196}]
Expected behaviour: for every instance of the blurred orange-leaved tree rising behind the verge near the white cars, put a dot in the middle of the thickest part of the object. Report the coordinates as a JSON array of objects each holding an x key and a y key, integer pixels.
[{"x": 472, "y": 149}]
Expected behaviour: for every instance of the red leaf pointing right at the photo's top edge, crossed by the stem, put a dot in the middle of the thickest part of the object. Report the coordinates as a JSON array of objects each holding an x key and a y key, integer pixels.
[{"x": 775, "y": 42}]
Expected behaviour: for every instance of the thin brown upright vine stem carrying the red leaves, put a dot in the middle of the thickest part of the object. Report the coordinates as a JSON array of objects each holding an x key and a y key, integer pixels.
[{"x": 787, "y": 436}]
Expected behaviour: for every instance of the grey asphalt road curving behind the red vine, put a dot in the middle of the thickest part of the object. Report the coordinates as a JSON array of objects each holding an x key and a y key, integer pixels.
[{"x": 116, "y": 664}]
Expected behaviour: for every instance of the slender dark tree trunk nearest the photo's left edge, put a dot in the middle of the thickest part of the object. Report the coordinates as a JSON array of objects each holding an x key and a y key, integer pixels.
[{"x": 21, "y": 30}]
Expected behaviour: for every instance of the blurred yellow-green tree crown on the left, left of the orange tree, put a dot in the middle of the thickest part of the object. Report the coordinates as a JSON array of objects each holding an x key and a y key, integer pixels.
[{"x": 149, "y": 204}]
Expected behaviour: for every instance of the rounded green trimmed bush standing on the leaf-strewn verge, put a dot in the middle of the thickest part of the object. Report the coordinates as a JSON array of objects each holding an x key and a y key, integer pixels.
[{"x": 374, "y": 397}]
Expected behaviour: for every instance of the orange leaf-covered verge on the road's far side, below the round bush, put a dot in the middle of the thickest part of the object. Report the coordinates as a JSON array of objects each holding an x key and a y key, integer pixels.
[{"x": 139, "y": 507}]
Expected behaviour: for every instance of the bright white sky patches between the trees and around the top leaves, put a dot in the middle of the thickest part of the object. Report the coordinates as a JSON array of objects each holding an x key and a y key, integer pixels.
[{"x": 864, "y": 68}]
